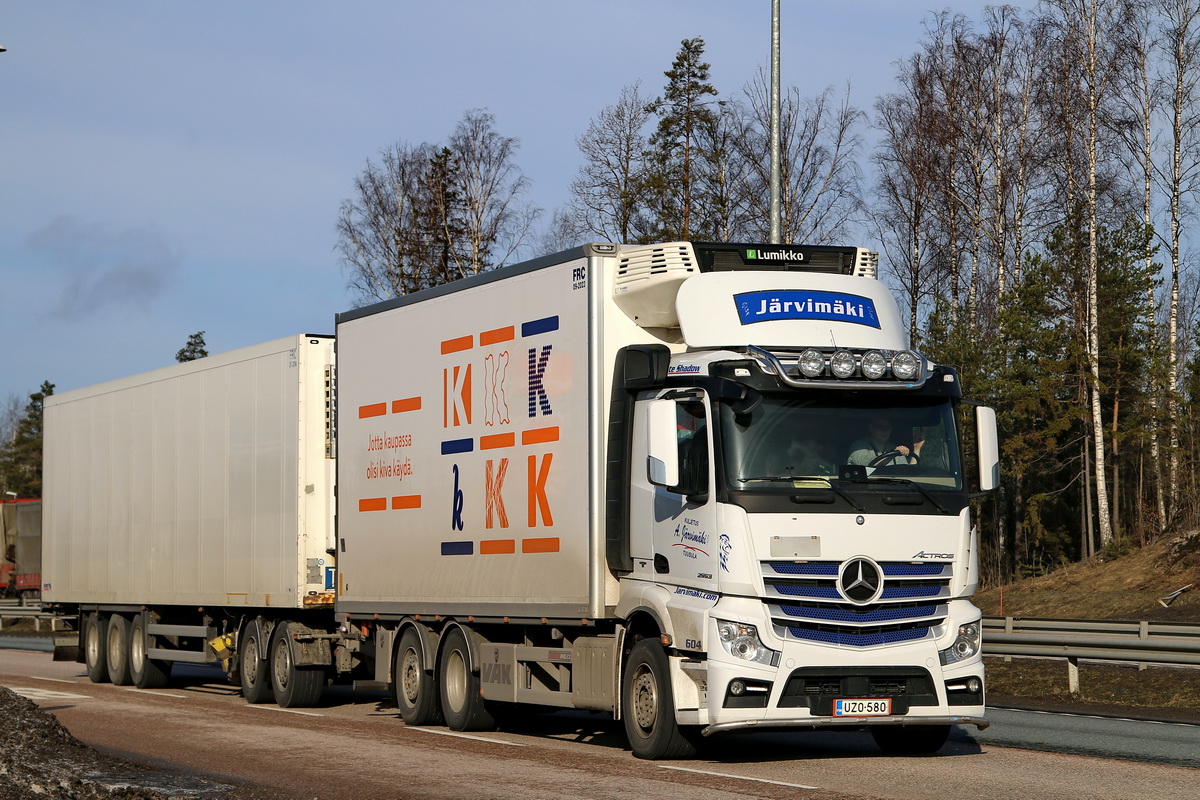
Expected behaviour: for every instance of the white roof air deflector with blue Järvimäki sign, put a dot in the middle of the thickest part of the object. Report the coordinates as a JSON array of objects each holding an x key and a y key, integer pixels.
[{"x": 788, "y": 310}]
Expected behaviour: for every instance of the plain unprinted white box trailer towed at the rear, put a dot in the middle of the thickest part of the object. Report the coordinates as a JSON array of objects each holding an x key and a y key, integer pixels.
[{"x": 203, "y": 485}]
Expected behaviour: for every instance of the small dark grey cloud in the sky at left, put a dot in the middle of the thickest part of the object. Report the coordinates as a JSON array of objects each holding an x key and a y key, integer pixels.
[{"x": 98, "y": 268}]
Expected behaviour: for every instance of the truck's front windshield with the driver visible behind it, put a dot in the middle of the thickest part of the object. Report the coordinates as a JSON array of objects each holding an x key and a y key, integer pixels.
[{"x": 802, "y": 442}]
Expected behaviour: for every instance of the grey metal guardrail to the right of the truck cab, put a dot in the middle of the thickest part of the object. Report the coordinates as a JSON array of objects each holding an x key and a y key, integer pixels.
[{"x": 1142, "y": 643}]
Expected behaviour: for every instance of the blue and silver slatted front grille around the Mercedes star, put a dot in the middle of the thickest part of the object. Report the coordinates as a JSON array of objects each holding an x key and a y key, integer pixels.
[{"x": 806, "y": 604}]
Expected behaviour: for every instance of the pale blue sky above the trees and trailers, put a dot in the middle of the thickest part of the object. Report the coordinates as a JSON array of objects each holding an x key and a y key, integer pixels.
[{"x": 173, "y": 167}]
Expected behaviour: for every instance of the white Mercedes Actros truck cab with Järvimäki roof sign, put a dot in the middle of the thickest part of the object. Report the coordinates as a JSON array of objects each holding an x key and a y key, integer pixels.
[{"x": 800, "y": 507}]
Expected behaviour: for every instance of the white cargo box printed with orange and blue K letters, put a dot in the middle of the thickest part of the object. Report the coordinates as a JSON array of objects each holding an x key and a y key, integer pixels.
[{"x": 472, "y": 448}]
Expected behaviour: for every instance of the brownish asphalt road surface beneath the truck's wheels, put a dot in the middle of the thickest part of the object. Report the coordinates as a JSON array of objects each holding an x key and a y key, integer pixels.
[{"x": 355, "y": 745}]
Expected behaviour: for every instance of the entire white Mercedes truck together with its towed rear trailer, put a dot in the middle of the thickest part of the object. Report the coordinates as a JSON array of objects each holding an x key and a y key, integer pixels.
[{"x": 703, "y": 488}]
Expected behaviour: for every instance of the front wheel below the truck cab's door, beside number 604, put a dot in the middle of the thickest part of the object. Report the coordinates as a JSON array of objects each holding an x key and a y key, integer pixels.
[{"x": 649, "y": 706}]
